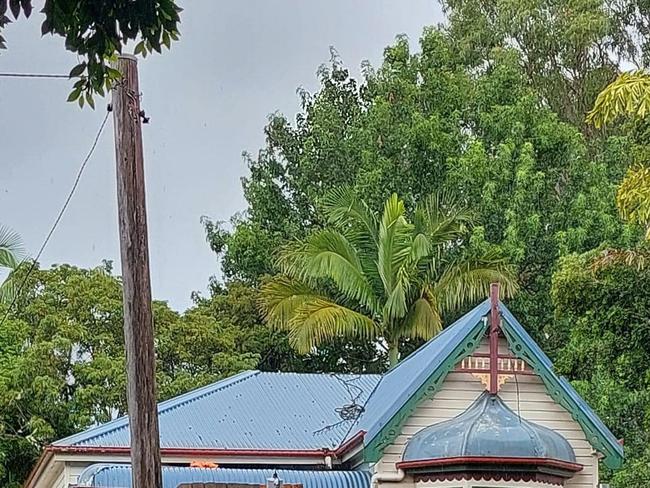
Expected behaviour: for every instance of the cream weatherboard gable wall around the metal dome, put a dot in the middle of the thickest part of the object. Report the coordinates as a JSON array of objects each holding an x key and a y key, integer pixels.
[{"x": 533, "y": 403}]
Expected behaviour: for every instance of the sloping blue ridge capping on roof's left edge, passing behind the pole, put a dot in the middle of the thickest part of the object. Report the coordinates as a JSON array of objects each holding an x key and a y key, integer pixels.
[{"x": 122, "y": 421}]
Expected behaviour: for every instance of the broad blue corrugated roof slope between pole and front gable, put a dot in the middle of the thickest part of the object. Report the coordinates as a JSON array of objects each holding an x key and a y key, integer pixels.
[{"x": 251, "y": 410}]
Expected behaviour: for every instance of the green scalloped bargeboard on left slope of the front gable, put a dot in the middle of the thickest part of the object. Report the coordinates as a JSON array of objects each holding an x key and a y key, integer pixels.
[{"x": 375, "y": 450}]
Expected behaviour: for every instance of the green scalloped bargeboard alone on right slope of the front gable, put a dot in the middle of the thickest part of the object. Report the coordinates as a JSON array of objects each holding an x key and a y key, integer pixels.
[{"x": 554, "y": 388}]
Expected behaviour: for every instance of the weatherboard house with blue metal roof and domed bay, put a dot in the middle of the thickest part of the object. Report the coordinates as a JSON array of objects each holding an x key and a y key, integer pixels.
[{"x": 479, "y": 405}]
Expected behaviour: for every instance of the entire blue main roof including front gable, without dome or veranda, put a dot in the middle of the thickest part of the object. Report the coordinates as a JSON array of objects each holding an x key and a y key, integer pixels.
[{"x": 290, "y": 411}]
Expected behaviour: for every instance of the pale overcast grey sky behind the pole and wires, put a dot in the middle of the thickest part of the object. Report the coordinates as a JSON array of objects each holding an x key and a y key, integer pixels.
[{"x": 208, "y": 99}]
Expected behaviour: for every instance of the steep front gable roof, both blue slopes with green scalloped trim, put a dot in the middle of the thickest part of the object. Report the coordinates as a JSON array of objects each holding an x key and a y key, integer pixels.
[{"x": 422, "y": 374}]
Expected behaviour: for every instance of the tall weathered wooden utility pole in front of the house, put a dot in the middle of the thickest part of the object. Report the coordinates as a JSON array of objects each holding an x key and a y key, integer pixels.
[{"x": 134, "y": 249}]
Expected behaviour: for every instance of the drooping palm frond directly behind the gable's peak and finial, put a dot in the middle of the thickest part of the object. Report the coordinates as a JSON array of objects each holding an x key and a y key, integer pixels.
[{"x": 466, "y": 281}]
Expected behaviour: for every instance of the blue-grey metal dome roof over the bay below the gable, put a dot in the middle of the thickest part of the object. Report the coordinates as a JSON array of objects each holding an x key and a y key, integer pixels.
[{"x": 488, "y": 429}]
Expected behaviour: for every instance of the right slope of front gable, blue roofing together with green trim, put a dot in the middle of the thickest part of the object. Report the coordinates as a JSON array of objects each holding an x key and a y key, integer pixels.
[{"x": 597, "y": 433}]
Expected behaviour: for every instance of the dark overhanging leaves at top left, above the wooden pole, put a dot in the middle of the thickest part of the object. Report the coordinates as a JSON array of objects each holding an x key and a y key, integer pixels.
[{"x": 97, "y": 31}]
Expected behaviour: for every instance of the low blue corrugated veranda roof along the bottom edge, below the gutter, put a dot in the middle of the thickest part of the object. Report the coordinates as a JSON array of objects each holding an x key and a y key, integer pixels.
[{"x": 119, "y": 476}]
